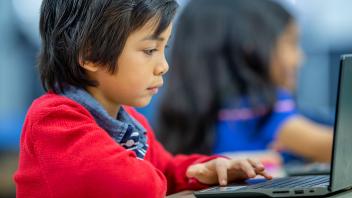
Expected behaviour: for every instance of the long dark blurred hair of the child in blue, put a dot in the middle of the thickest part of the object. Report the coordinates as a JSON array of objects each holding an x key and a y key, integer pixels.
[{"x": 222, "y": 51}]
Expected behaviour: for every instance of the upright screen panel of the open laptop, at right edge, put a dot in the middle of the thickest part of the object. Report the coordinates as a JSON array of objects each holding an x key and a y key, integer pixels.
[{"x": 341, "y": 173}]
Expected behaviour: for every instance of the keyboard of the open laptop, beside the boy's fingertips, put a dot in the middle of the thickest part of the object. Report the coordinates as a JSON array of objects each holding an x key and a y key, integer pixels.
[{"x": 293, "y": 182}]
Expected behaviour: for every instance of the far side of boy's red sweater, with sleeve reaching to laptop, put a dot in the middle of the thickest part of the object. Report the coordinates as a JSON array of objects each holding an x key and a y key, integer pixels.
[{"x": 174, "y": 167}]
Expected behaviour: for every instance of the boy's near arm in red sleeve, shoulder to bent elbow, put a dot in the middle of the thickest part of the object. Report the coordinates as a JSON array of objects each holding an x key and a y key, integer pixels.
[{"x": 79, "y": 159}]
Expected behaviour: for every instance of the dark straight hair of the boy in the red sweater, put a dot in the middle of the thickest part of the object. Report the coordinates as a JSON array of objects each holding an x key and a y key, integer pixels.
[{"x": 91, "y": 30}]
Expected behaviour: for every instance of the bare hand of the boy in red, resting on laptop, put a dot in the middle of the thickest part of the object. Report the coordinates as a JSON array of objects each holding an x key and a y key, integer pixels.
[{"x": 222, "y": 170}]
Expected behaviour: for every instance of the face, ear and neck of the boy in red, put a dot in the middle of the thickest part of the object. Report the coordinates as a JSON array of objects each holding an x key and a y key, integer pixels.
[{"x": 140, "y": 68}]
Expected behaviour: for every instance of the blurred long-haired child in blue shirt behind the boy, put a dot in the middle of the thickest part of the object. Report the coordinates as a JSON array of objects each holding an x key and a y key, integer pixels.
[{"x": 230, "y": 88}]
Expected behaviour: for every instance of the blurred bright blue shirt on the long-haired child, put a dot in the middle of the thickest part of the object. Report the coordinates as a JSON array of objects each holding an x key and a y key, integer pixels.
[{"x": 237, "y": 128}]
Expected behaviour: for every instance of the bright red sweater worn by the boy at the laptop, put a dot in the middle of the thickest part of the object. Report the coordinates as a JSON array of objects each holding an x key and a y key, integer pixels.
[{"x": 64, "y": 153}]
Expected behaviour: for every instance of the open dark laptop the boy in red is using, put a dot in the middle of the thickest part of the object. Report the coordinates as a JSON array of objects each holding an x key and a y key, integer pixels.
[{"x": 340, "y": 176}]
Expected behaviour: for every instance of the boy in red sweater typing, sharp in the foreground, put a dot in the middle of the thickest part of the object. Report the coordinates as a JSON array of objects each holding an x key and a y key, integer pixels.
[{"x": 80, "y": 139}]
